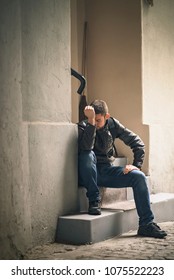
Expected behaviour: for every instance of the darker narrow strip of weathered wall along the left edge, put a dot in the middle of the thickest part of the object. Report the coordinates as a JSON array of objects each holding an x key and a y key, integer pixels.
[{"x": 15, "y": 218}]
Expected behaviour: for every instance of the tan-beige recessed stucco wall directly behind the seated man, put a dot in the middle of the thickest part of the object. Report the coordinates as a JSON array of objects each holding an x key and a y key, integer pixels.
[{"x": 114, "y": 61}]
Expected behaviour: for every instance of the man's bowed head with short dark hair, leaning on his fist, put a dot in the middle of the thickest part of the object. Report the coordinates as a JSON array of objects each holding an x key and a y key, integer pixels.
[{"x": 101, "y": 113}]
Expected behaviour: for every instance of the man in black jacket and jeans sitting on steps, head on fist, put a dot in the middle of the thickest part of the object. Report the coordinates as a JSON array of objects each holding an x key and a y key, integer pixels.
[{"x": 96, "y": 154}]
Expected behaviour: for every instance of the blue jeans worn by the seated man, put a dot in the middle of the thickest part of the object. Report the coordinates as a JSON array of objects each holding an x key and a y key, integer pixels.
[{"x": 93, "y": 175}]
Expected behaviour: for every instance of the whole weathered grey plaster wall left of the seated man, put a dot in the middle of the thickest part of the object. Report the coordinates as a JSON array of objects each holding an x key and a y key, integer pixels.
[{"x": 38, "y": 150}]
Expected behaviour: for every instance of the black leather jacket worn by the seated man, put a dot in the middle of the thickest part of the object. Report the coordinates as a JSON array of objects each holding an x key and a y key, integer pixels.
[{"x": 101, "y": 141}]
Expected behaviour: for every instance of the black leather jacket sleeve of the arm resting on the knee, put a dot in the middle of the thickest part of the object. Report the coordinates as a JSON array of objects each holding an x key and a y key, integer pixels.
[{"x": 133, "y": 141}]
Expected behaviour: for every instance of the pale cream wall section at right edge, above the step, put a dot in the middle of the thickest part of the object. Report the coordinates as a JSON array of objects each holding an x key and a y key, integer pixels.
[{"x": 158, "y": 90}]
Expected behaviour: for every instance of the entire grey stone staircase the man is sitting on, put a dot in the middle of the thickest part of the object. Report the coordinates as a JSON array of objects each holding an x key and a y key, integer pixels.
[{"x": 118, "y": 215}]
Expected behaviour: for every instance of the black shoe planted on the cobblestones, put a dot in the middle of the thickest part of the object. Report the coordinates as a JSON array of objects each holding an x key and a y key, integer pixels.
[{"x": 151, "y": 230}]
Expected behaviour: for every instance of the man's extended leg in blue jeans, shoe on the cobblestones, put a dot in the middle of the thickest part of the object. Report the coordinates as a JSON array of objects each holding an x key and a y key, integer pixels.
[{"x": 112, "y": 176}]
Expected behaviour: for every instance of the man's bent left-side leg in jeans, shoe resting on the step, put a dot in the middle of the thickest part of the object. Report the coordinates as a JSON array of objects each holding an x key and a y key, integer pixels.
[{"x": 87, "y": 173}]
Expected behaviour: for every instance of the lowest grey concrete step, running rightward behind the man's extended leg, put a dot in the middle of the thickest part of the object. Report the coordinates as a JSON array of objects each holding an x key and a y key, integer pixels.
[{"x": 121, "y": 218}]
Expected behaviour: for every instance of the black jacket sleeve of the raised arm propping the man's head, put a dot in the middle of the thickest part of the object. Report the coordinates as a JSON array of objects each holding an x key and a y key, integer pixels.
[{"x": 86, "y": 136}]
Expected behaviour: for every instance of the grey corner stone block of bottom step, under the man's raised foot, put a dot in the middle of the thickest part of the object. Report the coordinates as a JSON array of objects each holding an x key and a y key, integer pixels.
[{"x": 84, "y": 228}]
